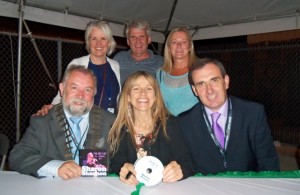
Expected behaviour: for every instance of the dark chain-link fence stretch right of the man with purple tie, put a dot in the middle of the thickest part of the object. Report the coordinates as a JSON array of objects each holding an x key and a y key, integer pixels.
[{"x": 268, "y": 74}]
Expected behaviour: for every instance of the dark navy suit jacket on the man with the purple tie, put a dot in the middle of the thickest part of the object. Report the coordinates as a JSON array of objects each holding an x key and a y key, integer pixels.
[{"x": 250, "y": 145}]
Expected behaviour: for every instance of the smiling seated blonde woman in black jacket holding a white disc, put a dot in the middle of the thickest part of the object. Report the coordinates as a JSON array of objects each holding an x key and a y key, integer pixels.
[{"x": 143, "y": 124}]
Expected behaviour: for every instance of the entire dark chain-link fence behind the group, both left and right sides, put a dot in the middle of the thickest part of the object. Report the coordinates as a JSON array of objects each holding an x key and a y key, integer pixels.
[{"x": 268, "y": 74}]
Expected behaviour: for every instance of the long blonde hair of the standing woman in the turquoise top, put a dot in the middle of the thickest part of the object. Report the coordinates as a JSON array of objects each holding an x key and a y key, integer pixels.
[{"x": 168, "y": 60}]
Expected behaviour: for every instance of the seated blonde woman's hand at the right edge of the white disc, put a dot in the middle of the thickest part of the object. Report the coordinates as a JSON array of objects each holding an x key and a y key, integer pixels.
[{"x": 172, "y": 172}]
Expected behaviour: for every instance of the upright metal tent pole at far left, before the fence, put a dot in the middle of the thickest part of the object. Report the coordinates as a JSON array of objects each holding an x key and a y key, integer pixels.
[{"x": 18, "y": 133}]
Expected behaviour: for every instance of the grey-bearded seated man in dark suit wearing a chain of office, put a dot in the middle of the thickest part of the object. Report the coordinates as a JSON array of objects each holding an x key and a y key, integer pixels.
[{"x": 49, "y": 146}]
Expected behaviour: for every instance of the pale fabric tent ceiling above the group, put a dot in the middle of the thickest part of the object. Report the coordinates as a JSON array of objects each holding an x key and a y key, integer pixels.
[{"x": 205, "y": 18}]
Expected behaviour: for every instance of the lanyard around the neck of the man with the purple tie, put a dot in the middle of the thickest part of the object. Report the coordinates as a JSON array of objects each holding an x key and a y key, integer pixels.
[{"x": 227, "y": 130}]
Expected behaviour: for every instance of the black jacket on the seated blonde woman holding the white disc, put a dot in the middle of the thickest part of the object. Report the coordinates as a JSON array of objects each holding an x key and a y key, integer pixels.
[{"x": 174, "y": 149}]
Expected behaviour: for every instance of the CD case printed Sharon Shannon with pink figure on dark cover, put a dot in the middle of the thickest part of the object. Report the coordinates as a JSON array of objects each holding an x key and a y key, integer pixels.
[{"x": 94, "y": 162}]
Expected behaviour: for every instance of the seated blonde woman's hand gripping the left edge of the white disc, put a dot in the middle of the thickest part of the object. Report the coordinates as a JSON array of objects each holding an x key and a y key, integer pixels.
[{"x": 127, "y": 174}]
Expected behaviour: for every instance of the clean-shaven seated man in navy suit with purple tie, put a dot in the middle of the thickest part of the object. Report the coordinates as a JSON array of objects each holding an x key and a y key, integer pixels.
[{"x": 243, "y": 143}]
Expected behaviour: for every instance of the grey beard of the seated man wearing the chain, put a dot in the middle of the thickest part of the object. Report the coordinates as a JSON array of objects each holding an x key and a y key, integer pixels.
[{"x": 76, "y": 107}]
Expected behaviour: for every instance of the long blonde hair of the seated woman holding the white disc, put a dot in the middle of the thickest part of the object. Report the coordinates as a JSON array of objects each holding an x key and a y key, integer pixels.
[{"x": 125, "y": 117}]
